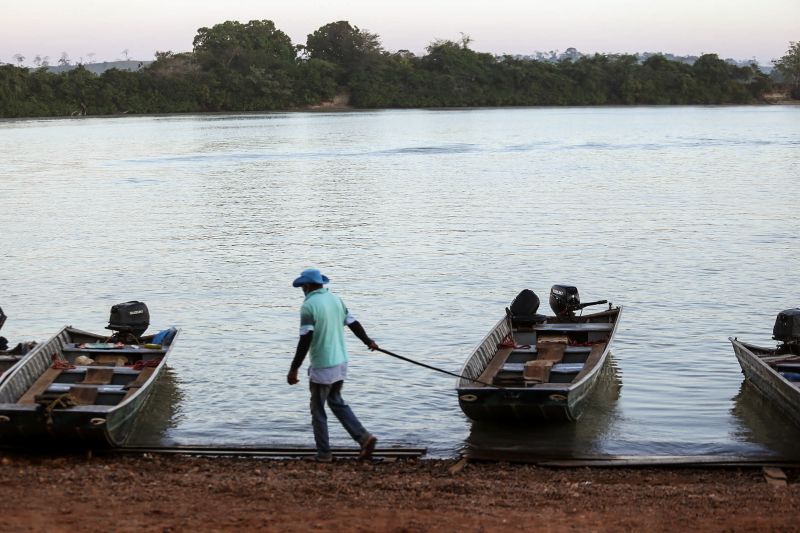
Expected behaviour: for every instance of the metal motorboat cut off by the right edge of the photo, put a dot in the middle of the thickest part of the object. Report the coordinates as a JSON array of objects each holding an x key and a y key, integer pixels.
[{"x": 775, "y": 372}]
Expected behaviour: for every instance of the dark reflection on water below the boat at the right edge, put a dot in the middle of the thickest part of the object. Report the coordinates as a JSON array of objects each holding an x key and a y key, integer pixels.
[{"x": 762, "y": 423}]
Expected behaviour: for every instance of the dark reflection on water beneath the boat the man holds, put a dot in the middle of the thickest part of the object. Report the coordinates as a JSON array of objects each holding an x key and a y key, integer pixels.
[{"x": 584, "y": 438}]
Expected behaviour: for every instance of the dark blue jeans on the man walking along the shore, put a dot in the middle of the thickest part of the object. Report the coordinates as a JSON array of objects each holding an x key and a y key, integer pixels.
[{"x": 332, "y": 394}]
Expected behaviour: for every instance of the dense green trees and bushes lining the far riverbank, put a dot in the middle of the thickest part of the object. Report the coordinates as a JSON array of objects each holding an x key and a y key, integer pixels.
[{"x": 256, "y": 67}]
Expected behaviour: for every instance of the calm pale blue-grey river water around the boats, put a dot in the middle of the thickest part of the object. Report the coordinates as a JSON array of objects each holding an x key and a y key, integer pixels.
[{"x": 428, "y": 224}]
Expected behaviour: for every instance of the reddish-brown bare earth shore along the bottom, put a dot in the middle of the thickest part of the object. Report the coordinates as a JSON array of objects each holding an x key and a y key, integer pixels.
[{"x": 172, "y": 493}]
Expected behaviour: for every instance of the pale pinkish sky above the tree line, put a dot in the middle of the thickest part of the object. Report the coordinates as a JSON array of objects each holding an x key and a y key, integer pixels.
[{"x": 103, "y": 30}]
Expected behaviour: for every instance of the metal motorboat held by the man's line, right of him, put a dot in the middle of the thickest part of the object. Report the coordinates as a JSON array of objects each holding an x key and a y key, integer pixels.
[{"x": 537, "y": 367}]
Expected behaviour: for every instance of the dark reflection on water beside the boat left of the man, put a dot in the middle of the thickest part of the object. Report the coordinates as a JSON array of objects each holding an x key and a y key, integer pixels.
[{"x": 160, "y": 414}]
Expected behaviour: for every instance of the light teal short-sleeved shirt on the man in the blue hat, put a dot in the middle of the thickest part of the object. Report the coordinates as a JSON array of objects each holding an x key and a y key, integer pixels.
[{"x": 325, "y": 314}]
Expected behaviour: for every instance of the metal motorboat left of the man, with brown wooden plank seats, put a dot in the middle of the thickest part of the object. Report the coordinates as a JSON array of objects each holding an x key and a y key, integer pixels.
[{"x": 84, "y": 389}]
